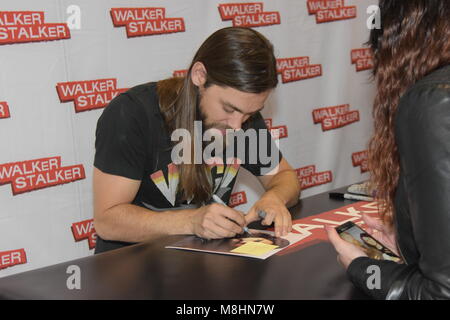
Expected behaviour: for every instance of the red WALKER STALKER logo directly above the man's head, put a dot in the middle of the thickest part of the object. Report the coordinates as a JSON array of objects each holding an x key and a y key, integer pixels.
[{"x": 248, "y": 14}]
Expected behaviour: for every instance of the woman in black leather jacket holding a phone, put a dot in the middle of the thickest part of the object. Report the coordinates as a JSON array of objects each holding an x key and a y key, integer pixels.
[{"x": 409, "y": 154}]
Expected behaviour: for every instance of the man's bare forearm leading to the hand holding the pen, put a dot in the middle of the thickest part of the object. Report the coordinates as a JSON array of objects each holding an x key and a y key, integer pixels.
[{"x": 131, "y": 223}]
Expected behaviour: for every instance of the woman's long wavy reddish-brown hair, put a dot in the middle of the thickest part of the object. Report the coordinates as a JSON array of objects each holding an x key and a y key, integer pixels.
[{"x": 413, "y": 42}]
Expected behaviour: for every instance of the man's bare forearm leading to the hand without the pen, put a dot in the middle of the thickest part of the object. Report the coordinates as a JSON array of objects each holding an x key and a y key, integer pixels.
[{"x": 285, "y": 186}]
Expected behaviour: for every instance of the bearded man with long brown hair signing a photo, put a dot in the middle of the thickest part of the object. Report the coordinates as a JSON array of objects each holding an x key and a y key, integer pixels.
[{"x": 141, "y": 192}]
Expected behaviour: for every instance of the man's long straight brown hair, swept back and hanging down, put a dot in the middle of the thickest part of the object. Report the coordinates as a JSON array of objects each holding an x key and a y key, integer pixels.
[{"x": 240, "y": 58}]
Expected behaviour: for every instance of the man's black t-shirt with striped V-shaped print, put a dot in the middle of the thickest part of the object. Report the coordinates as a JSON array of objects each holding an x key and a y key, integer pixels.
[{"x": 132, "y": 142}]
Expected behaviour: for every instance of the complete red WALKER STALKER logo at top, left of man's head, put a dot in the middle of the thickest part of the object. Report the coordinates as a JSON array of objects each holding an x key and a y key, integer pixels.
[{"x": 146, "y": 21}]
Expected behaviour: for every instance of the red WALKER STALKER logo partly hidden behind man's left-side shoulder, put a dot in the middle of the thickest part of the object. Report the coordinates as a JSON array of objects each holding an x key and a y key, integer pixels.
[{"x": 90, "y": 94}]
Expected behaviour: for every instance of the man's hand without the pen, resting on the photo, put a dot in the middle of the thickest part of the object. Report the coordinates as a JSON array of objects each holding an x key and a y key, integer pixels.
[{"x": 276, "y": 211}]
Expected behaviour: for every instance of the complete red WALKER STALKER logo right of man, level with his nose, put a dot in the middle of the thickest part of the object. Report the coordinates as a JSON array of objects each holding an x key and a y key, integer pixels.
[{"x": 335, "y": 117}]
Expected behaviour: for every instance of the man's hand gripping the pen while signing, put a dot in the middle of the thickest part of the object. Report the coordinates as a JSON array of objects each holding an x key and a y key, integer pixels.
[{"x": 217, "y": 221}]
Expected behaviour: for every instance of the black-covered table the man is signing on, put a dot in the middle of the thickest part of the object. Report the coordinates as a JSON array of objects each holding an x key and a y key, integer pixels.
[{"x": 149, "y": 271}]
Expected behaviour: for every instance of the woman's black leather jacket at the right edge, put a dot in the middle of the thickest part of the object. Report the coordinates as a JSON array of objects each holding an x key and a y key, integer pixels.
[{"x": 422, "y": 201}]
